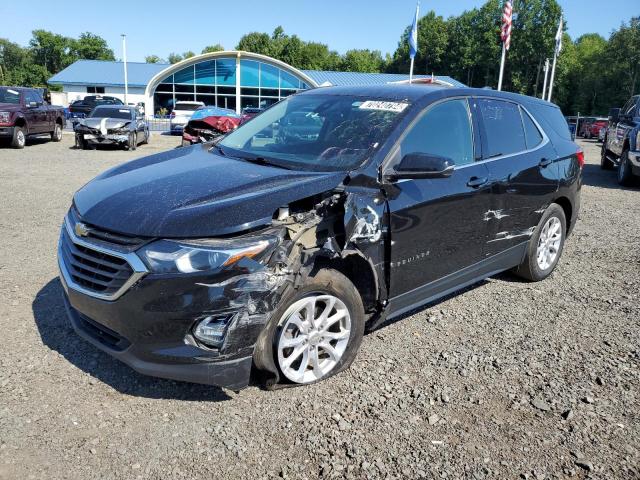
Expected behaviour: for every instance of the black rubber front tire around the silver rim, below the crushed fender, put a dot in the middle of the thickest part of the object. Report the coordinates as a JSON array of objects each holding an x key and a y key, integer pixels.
[{"x": 322, "y": 281}]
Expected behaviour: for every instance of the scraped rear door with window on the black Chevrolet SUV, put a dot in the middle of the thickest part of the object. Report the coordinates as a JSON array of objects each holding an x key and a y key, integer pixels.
[{"x": 522, "y": 165}]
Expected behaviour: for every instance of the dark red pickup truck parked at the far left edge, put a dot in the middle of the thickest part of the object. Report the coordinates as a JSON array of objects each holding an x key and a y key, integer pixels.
[{"x": 23, "y": 112}]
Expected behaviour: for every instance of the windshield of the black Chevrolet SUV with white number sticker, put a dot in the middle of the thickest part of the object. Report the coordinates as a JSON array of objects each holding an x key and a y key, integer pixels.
[{"x": 316, "y": 132}]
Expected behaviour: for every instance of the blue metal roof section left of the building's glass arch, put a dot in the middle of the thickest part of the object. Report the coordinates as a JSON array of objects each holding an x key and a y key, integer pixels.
[{"x": 105, "y": 73}]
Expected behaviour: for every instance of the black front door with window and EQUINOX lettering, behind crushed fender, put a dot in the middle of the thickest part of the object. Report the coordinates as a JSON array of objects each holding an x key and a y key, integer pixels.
[{"x": 437, "y": 226}]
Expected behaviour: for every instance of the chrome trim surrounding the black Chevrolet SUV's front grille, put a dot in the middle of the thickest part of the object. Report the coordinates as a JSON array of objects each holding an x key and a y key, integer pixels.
[{"x": 136, "y": 264}]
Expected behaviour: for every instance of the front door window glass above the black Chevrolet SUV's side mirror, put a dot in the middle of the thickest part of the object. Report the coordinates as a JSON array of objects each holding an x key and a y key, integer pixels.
[{"x": 444, "y": 130}]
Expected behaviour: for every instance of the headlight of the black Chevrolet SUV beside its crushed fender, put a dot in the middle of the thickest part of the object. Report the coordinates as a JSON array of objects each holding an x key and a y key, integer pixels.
[{"x": 190, "y": 256}]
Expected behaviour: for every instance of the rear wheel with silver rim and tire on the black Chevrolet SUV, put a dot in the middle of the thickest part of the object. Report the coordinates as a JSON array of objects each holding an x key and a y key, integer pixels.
[{"x": 545, "y": 246}]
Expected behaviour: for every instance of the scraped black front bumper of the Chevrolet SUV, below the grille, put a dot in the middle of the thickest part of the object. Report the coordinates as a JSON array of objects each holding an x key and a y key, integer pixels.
[{"x": 150, "y": 327}]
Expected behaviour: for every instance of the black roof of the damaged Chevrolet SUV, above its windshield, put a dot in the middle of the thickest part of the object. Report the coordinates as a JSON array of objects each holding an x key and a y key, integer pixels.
[{"x": 414, "y": 93}]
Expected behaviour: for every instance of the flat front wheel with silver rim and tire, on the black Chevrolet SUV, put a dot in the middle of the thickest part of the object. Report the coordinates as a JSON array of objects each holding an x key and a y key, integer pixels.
[{"x": 316, "y": 331}]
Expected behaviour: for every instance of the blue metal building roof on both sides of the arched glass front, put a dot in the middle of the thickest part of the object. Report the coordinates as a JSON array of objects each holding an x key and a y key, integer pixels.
[{"x": 106, "y": 73}]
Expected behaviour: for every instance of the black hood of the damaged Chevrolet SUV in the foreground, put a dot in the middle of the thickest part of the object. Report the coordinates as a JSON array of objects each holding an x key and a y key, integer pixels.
[{"x": 190, "y": 192}]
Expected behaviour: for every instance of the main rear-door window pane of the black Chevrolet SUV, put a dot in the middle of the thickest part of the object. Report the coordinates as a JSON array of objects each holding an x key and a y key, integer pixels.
[{"x": 503, "y": 127}]
